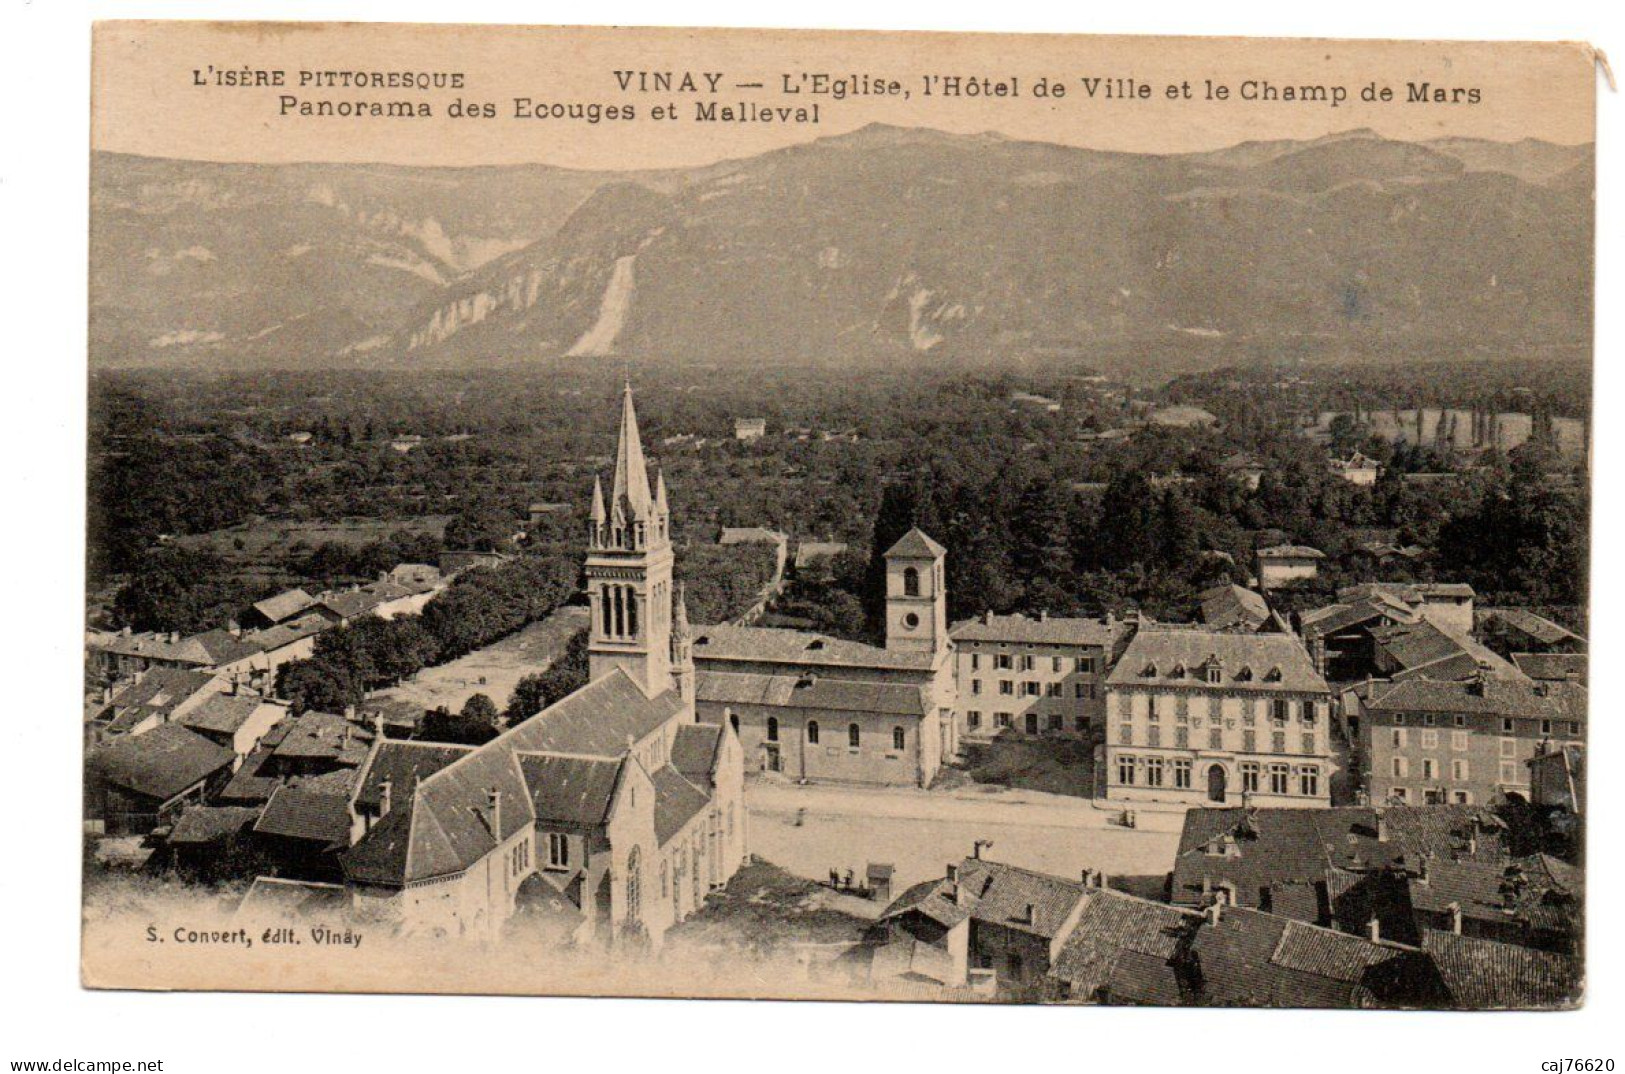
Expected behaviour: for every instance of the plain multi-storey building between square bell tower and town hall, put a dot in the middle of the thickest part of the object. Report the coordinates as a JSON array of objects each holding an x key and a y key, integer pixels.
[{"x": 1033, "y": 675}]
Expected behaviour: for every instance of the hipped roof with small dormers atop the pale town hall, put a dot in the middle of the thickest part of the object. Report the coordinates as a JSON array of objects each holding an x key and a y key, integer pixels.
[{"x": 1257, "y": 662}]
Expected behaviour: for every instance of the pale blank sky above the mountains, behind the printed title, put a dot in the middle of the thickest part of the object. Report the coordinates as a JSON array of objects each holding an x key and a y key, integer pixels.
[{"x": 145, "y": 98}]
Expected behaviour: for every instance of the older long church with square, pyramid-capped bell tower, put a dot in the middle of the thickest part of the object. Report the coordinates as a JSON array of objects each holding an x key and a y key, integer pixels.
[{"x": 817, "y": 708}]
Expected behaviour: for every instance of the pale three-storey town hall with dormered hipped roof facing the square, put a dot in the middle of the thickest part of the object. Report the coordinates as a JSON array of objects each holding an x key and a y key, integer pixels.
[{"x": 1205, "y": 717}]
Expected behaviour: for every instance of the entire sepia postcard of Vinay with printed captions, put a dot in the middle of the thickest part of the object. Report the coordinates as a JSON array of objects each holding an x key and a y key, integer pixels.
[{"x": 834, "y": 516}]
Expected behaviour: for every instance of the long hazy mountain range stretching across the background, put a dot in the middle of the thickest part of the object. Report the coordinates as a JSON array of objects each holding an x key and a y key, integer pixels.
[{"x": 885, "y": 245}]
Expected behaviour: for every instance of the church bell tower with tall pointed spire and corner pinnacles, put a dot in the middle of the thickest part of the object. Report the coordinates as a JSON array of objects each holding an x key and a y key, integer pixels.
[{"x": 630, "y": 568}]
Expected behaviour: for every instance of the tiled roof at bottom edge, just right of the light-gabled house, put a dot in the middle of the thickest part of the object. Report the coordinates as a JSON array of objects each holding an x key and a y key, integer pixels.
[{"x": 1125, "y": 950}]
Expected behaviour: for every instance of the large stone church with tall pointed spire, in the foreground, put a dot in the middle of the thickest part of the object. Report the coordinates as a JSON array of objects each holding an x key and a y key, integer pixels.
[{"x": 612, "y": 813}]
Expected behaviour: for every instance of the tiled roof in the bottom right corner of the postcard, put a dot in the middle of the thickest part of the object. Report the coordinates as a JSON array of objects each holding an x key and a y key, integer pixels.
[{"x": 1486, "y": 976}]
